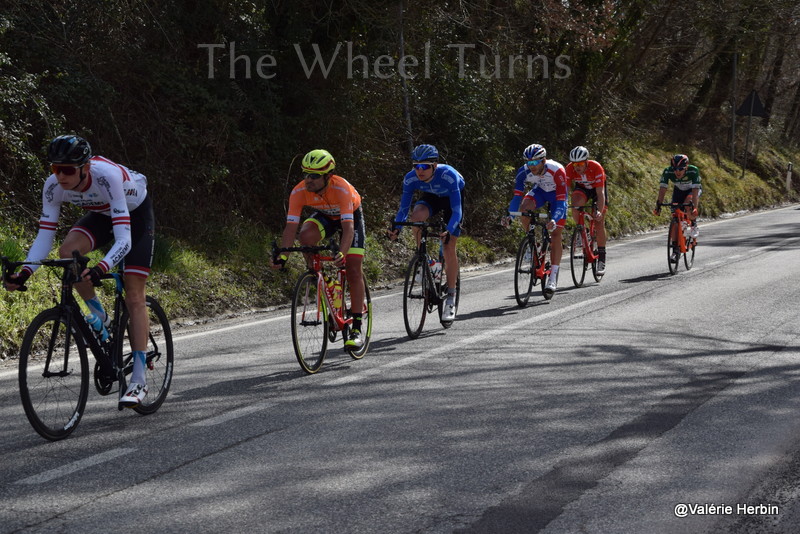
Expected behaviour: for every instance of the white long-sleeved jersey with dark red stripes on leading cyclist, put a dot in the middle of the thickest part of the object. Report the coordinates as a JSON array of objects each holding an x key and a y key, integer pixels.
[{"x": 110, "y": 189}]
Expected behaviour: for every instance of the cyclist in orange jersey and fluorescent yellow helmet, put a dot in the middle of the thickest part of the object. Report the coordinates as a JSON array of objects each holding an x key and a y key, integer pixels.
[{"x": 337, "y": 206}]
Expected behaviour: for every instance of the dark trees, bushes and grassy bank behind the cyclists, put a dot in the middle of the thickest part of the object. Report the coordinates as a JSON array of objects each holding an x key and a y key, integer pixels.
[{"x": 216, "y": 101}]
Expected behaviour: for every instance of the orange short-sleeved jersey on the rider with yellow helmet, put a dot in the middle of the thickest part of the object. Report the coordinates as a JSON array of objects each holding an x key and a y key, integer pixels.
[{"x": 338, "y": 200}]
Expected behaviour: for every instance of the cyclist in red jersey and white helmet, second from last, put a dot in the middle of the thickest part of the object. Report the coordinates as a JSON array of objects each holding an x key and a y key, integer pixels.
[{"x": 589, "y": 180}]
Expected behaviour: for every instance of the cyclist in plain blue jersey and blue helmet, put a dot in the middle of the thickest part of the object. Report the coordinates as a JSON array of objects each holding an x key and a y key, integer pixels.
[{"x": 442, "y": 189}]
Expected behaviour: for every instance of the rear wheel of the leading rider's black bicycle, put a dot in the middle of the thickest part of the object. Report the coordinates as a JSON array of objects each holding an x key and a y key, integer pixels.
[{"x": 159, "y": 356}]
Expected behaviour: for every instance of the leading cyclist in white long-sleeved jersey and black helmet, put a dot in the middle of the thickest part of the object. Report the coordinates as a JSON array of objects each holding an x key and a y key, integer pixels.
[{"x": 119, "y": 209}]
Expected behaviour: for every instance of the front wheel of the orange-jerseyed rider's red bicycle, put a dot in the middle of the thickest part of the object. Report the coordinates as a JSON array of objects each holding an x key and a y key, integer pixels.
[{"x": 309, "y": 323}]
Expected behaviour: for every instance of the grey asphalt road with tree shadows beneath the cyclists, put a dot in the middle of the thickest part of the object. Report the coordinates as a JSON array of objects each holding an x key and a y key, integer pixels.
[{"x": 603, "y": 410}]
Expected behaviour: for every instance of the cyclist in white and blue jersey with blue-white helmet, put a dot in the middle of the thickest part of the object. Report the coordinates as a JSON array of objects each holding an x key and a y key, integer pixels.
[{"x": 549, "y": 181}]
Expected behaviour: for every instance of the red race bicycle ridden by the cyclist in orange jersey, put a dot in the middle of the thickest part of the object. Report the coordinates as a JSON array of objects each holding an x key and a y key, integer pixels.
[{"x": 320, "y": 310}]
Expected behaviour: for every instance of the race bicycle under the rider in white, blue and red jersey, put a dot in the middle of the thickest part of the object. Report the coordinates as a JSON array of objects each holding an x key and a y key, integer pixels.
[{"x": 532, "y": 265}]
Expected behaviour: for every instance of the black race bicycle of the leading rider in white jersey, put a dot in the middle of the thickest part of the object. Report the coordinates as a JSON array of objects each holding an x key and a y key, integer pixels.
[{"x": 53, "y": 362}]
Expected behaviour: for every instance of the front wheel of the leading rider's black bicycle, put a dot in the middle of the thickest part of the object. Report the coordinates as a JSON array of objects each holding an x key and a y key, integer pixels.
[{"x": 53, "y": 375}]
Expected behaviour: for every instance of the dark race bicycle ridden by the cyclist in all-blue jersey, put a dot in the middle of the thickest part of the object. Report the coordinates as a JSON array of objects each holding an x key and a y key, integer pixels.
[{"x": 425, "y": 290}]
